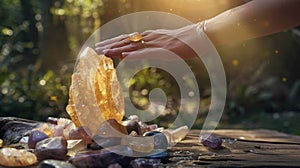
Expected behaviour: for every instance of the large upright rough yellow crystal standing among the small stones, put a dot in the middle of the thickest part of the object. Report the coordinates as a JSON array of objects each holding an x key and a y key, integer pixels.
[{"x": 95, "y": 94}]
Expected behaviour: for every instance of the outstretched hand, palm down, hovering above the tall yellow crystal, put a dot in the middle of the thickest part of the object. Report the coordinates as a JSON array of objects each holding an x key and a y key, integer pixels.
[{"x": 176, "y": 41}]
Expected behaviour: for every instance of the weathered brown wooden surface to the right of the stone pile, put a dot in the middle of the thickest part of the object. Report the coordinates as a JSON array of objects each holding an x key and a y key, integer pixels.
[{"x": 255, "y": 148}]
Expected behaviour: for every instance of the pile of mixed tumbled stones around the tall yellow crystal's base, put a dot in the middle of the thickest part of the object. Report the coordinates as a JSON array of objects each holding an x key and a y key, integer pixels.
[{"x": 59, "y": 143}]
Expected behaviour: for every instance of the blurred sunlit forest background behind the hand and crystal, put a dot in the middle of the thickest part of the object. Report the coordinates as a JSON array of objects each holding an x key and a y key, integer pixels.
[{"x": 40, "y": 40}]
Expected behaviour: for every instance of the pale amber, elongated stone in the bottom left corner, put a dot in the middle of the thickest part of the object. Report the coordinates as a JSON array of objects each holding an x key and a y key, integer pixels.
[{"x": 16, "y": 158}]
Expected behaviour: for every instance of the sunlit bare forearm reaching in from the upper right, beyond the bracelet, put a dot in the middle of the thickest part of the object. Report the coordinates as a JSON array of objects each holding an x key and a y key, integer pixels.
[{"x": 254, "y": 19}]
